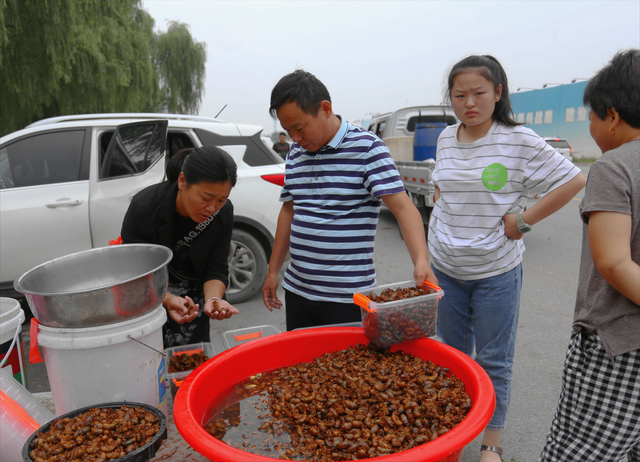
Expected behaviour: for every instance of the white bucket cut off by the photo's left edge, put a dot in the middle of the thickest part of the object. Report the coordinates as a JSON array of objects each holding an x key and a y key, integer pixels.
[{"x": 11, "y": 344}]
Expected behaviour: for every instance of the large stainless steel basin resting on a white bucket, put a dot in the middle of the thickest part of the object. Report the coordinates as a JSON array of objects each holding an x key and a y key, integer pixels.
[{"x": 98, "y": 286}]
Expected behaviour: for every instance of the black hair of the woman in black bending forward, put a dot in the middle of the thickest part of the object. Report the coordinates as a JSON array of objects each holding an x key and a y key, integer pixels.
[{"x": 207, "y": 163}]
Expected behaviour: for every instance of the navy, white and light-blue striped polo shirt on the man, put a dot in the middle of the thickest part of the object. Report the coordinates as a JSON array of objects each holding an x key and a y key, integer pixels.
[{"x": 336, "y": 201}]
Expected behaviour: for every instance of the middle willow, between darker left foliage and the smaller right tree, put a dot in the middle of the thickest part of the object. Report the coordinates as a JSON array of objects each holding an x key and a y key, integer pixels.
[{"x": 112, "y": 68}]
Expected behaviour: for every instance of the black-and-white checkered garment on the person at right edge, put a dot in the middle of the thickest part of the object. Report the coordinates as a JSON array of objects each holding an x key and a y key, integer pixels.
[{"x": 598, "y": 414}]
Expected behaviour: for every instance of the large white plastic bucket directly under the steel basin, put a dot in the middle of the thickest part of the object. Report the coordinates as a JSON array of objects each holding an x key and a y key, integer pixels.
[{"x": 103, "y": 364}]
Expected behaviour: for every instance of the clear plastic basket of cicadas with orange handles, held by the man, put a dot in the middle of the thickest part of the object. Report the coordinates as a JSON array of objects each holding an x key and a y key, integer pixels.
[{"x": 399, "y": 312}]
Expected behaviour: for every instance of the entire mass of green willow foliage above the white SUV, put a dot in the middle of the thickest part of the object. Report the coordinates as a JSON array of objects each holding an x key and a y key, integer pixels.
[{"x": 89, "y": 56}]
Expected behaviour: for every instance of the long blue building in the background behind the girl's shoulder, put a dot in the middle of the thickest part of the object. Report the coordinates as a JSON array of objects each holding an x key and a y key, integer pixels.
[{"x": 558, "y": 112}]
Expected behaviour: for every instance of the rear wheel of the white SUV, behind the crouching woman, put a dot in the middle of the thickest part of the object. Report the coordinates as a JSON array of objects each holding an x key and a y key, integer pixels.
[{"x": 247, "y": 267}]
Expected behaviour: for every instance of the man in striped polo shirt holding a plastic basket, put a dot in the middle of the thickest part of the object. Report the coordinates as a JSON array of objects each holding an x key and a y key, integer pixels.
[{"x": 336, "y": 175}]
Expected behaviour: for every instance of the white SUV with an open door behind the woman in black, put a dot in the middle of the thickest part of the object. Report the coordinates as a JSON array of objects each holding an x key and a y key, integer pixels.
[{"x": 58, "y": 196}]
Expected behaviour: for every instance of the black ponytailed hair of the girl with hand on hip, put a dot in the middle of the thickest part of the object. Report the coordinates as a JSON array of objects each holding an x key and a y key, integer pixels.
[{"x": 491, "y": 69}]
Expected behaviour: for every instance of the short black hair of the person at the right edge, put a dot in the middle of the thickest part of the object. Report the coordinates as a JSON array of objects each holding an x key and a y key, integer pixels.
[{"x": 617, "y": 86}]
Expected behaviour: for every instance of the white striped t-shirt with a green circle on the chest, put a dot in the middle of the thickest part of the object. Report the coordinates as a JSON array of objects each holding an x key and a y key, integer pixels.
[{"x": 479, "y": 183}]
